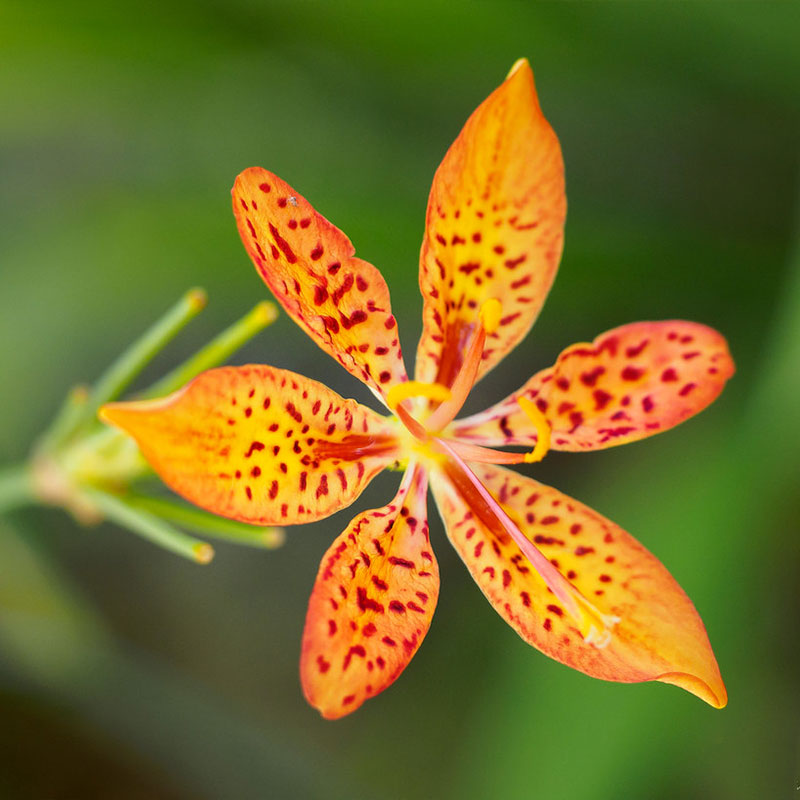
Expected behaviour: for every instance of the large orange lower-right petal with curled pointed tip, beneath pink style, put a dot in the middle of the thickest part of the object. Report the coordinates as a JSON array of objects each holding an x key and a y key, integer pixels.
[{"x": 659, "y": 635}]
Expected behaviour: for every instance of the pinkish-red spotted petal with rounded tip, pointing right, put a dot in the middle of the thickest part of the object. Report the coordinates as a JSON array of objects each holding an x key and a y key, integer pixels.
[{"x": 630, "y": 383}]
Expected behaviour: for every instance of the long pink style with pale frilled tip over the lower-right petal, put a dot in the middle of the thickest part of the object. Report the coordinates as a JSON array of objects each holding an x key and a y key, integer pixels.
[{"x": 593, "y": 625}]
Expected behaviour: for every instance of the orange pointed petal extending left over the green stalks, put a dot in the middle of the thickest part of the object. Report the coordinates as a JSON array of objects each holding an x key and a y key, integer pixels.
[{"x": 259, "y": 444}]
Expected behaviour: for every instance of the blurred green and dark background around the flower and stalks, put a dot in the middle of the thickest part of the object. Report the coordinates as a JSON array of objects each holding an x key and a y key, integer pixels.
[{"x": 126, "y": 672}]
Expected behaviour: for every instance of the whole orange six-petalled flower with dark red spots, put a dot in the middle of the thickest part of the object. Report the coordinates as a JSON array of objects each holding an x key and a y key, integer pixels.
[{"x": 268, "y": 446}]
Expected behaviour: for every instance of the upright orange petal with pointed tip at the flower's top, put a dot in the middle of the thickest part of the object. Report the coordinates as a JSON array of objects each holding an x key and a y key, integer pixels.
[{"x": 494, "y": 229}]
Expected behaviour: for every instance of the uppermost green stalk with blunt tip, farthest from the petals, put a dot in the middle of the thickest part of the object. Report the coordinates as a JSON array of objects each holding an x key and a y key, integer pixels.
[{"x": 120, "y": 374}]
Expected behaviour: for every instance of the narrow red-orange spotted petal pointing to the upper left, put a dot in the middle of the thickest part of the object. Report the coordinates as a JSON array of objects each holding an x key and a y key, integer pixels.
[{"x": 342, "y": 302}]
